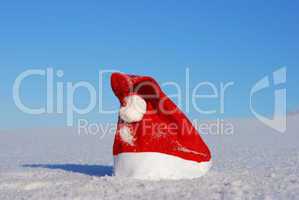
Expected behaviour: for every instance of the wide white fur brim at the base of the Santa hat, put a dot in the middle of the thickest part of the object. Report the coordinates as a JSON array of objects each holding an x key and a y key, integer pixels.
[{"x": 157, "y": 166}]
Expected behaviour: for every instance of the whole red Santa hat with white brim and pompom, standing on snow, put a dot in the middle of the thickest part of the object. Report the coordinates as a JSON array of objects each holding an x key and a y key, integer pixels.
[{"x": 154, "y": 139}]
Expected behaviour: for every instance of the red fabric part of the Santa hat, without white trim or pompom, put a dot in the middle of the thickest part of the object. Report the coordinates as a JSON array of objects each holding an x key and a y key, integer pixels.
[{"x": 167, "y": 132}]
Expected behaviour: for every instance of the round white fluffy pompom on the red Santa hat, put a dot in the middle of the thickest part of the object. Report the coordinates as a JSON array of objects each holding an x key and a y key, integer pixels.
[{"x": 134, "y": 110}]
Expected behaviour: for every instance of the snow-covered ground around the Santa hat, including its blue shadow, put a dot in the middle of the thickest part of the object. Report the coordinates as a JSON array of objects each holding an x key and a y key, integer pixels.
[{"x": 253, "y": 163}]
